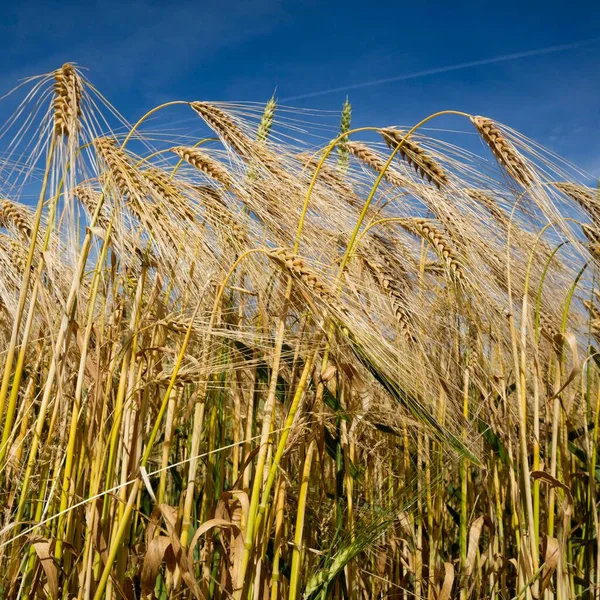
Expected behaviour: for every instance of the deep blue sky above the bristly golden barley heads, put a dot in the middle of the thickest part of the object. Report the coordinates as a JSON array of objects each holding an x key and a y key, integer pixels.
[{"x": 142, "y": 53}]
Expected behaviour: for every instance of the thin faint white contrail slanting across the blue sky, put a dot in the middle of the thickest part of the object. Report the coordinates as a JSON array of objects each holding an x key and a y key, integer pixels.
[{"x": 449, "y": 68}]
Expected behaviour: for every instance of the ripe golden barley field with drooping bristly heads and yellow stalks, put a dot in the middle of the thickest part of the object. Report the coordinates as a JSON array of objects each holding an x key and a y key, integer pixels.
[{"x": 248, "y": 351}]
